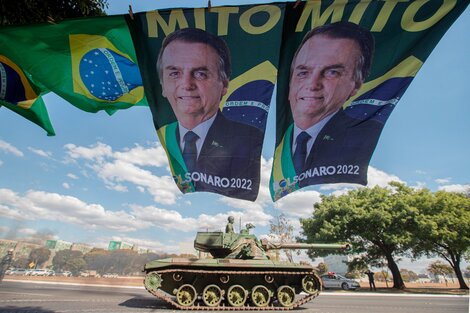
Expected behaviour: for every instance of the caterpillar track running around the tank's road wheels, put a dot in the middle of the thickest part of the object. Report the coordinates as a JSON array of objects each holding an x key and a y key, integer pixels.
[{"x": 161, "y": 295}]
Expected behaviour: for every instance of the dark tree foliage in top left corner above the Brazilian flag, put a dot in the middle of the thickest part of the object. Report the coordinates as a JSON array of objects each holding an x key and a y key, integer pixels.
[{"x": 36, "y": 11}]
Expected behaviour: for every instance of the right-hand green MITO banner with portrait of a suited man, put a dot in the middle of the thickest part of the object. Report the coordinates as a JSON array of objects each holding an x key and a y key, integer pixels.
[{"x": 344, "y": 65}]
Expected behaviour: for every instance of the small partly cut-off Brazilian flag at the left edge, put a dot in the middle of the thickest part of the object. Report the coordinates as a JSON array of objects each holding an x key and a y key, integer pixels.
[{"x": 19, "y": 94}]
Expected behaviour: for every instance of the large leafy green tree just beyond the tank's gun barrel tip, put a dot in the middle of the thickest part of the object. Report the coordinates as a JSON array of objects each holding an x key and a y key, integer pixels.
[{"x": 379, "y": 222}]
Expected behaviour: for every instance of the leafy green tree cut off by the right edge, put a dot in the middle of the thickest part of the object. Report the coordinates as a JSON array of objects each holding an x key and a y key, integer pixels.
[{"x": 444, "y": 228}]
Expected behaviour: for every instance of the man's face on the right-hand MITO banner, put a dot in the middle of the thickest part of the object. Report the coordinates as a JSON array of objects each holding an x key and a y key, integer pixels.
[{"x": 322, "y": 78}]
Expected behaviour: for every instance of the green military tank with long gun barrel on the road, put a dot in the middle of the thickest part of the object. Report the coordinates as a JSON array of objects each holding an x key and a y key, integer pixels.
[{"x": 238, "y": 275}]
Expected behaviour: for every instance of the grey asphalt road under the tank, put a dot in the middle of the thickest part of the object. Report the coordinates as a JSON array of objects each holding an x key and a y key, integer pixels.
[{"x": 48, "y": 298}]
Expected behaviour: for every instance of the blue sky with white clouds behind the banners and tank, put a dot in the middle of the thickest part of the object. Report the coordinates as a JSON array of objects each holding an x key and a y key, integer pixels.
[{"x": 106, "y": 178}]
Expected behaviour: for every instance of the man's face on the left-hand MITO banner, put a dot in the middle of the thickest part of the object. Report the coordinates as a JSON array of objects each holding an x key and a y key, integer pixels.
[{"x": 191, "y": 81}]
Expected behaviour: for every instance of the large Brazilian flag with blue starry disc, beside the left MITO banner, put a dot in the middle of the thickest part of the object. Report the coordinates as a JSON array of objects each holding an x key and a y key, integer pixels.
[{"x": 89, "y": 62}]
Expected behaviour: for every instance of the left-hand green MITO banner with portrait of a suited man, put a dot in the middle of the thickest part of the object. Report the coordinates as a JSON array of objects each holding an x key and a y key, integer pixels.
[{"x": 209, "y": 76}]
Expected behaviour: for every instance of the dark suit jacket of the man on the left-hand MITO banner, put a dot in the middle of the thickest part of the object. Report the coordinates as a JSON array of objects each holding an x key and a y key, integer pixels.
[{"x": 229, "y": 161}]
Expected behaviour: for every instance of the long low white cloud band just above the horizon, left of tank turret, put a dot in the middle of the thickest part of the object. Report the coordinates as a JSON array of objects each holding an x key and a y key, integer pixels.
[{"x": 40, "y": 205}]
